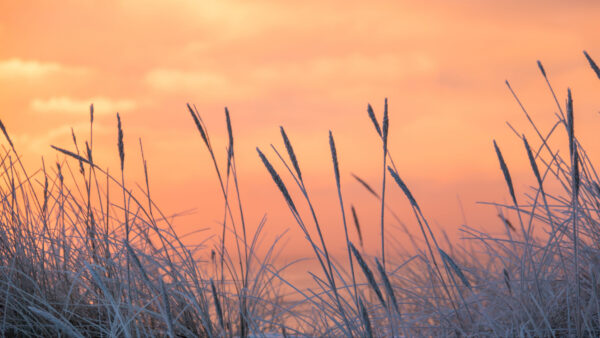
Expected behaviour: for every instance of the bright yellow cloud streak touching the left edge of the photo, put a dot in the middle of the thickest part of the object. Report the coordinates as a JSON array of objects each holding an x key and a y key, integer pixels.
[{"x": 17, "y": 68}]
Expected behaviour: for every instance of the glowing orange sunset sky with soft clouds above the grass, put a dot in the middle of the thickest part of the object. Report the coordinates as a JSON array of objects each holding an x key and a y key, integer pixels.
[{"x": 310, "y": 66}]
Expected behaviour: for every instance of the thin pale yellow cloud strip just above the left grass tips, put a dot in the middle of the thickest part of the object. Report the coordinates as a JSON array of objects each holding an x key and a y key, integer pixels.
[{"x": 69, "y": 105}]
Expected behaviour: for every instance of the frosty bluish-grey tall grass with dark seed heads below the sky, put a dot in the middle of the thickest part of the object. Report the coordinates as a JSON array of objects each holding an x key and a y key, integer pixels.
[{"x": 78, "y": 261}]
